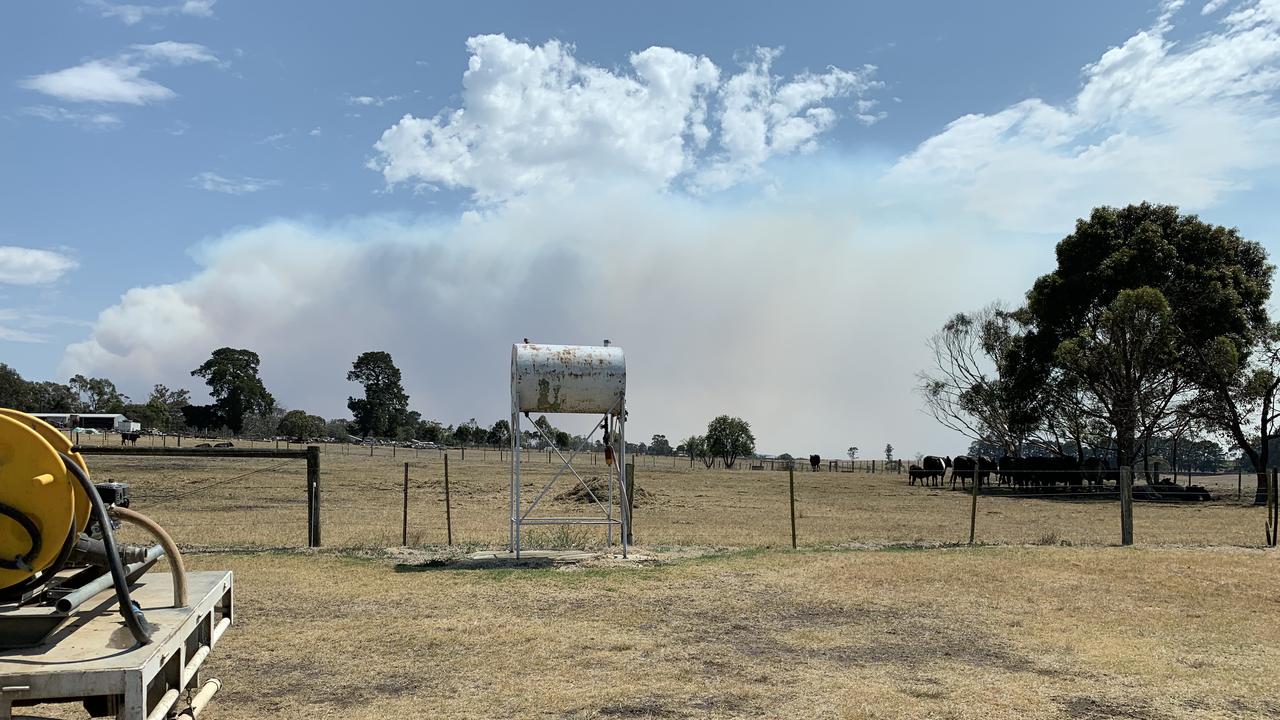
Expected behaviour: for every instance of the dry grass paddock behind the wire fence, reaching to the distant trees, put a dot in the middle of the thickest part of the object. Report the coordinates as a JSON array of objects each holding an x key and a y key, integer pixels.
[{"x": 391, "y": 498}]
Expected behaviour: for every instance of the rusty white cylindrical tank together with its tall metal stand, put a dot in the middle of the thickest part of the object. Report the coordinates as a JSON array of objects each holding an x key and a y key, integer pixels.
[{"x": 574, "y": 380}]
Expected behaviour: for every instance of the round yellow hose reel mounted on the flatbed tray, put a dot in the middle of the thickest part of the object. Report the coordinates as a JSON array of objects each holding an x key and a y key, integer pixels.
[{"x": 43, "y": 509}]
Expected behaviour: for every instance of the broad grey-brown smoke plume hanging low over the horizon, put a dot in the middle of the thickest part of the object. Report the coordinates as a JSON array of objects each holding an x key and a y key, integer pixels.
[{"x": 794, "y": 313}]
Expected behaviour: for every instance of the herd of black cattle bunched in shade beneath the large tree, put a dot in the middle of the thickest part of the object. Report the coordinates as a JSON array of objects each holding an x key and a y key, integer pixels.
[{"x": 1041, "y": 475}]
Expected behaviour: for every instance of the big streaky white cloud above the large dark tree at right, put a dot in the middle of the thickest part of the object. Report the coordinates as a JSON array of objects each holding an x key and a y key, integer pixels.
[{"x": 1185, "y": 124}]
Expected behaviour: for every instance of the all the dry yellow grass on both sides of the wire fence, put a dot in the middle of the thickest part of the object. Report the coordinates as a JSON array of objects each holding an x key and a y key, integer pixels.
[{"x": 880, "y": 614}]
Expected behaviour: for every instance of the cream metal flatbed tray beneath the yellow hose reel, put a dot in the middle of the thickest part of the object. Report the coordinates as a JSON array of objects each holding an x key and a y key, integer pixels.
[{"x": 94, "y": 660}]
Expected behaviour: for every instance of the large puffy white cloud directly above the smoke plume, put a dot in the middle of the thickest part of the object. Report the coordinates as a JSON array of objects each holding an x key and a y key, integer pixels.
[{"x": 536, "y": 117}]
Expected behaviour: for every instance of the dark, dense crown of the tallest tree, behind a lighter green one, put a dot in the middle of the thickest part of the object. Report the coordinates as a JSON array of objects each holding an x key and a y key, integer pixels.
[{"x": 1215, "y": 284}]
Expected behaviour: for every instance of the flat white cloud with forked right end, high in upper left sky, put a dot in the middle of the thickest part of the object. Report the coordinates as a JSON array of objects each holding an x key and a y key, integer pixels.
[{"x": 120, "y": 79}]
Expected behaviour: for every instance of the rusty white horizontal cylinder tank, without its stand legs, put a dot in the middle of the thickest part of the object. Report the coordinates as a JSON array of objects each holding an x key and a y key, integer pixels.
[{"x": 568, "y": 379}]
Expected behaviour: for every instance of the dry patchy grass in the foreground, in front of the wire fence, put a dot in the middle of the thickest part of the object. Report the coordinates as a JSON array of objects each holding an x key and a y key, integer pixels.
[{"x": 953, "y": 634}]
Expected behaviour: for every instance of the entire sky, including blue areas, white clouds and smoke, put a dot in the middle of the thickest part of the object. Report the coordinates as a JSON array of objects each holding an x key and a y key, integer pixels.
[{"x": 180, "y": 165}]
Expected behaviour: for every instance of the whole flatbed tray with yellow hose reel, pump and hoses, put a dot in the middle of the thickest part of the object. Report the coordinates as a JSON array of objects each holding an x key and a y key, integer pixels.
[{"x": 80, "y": 618}]
